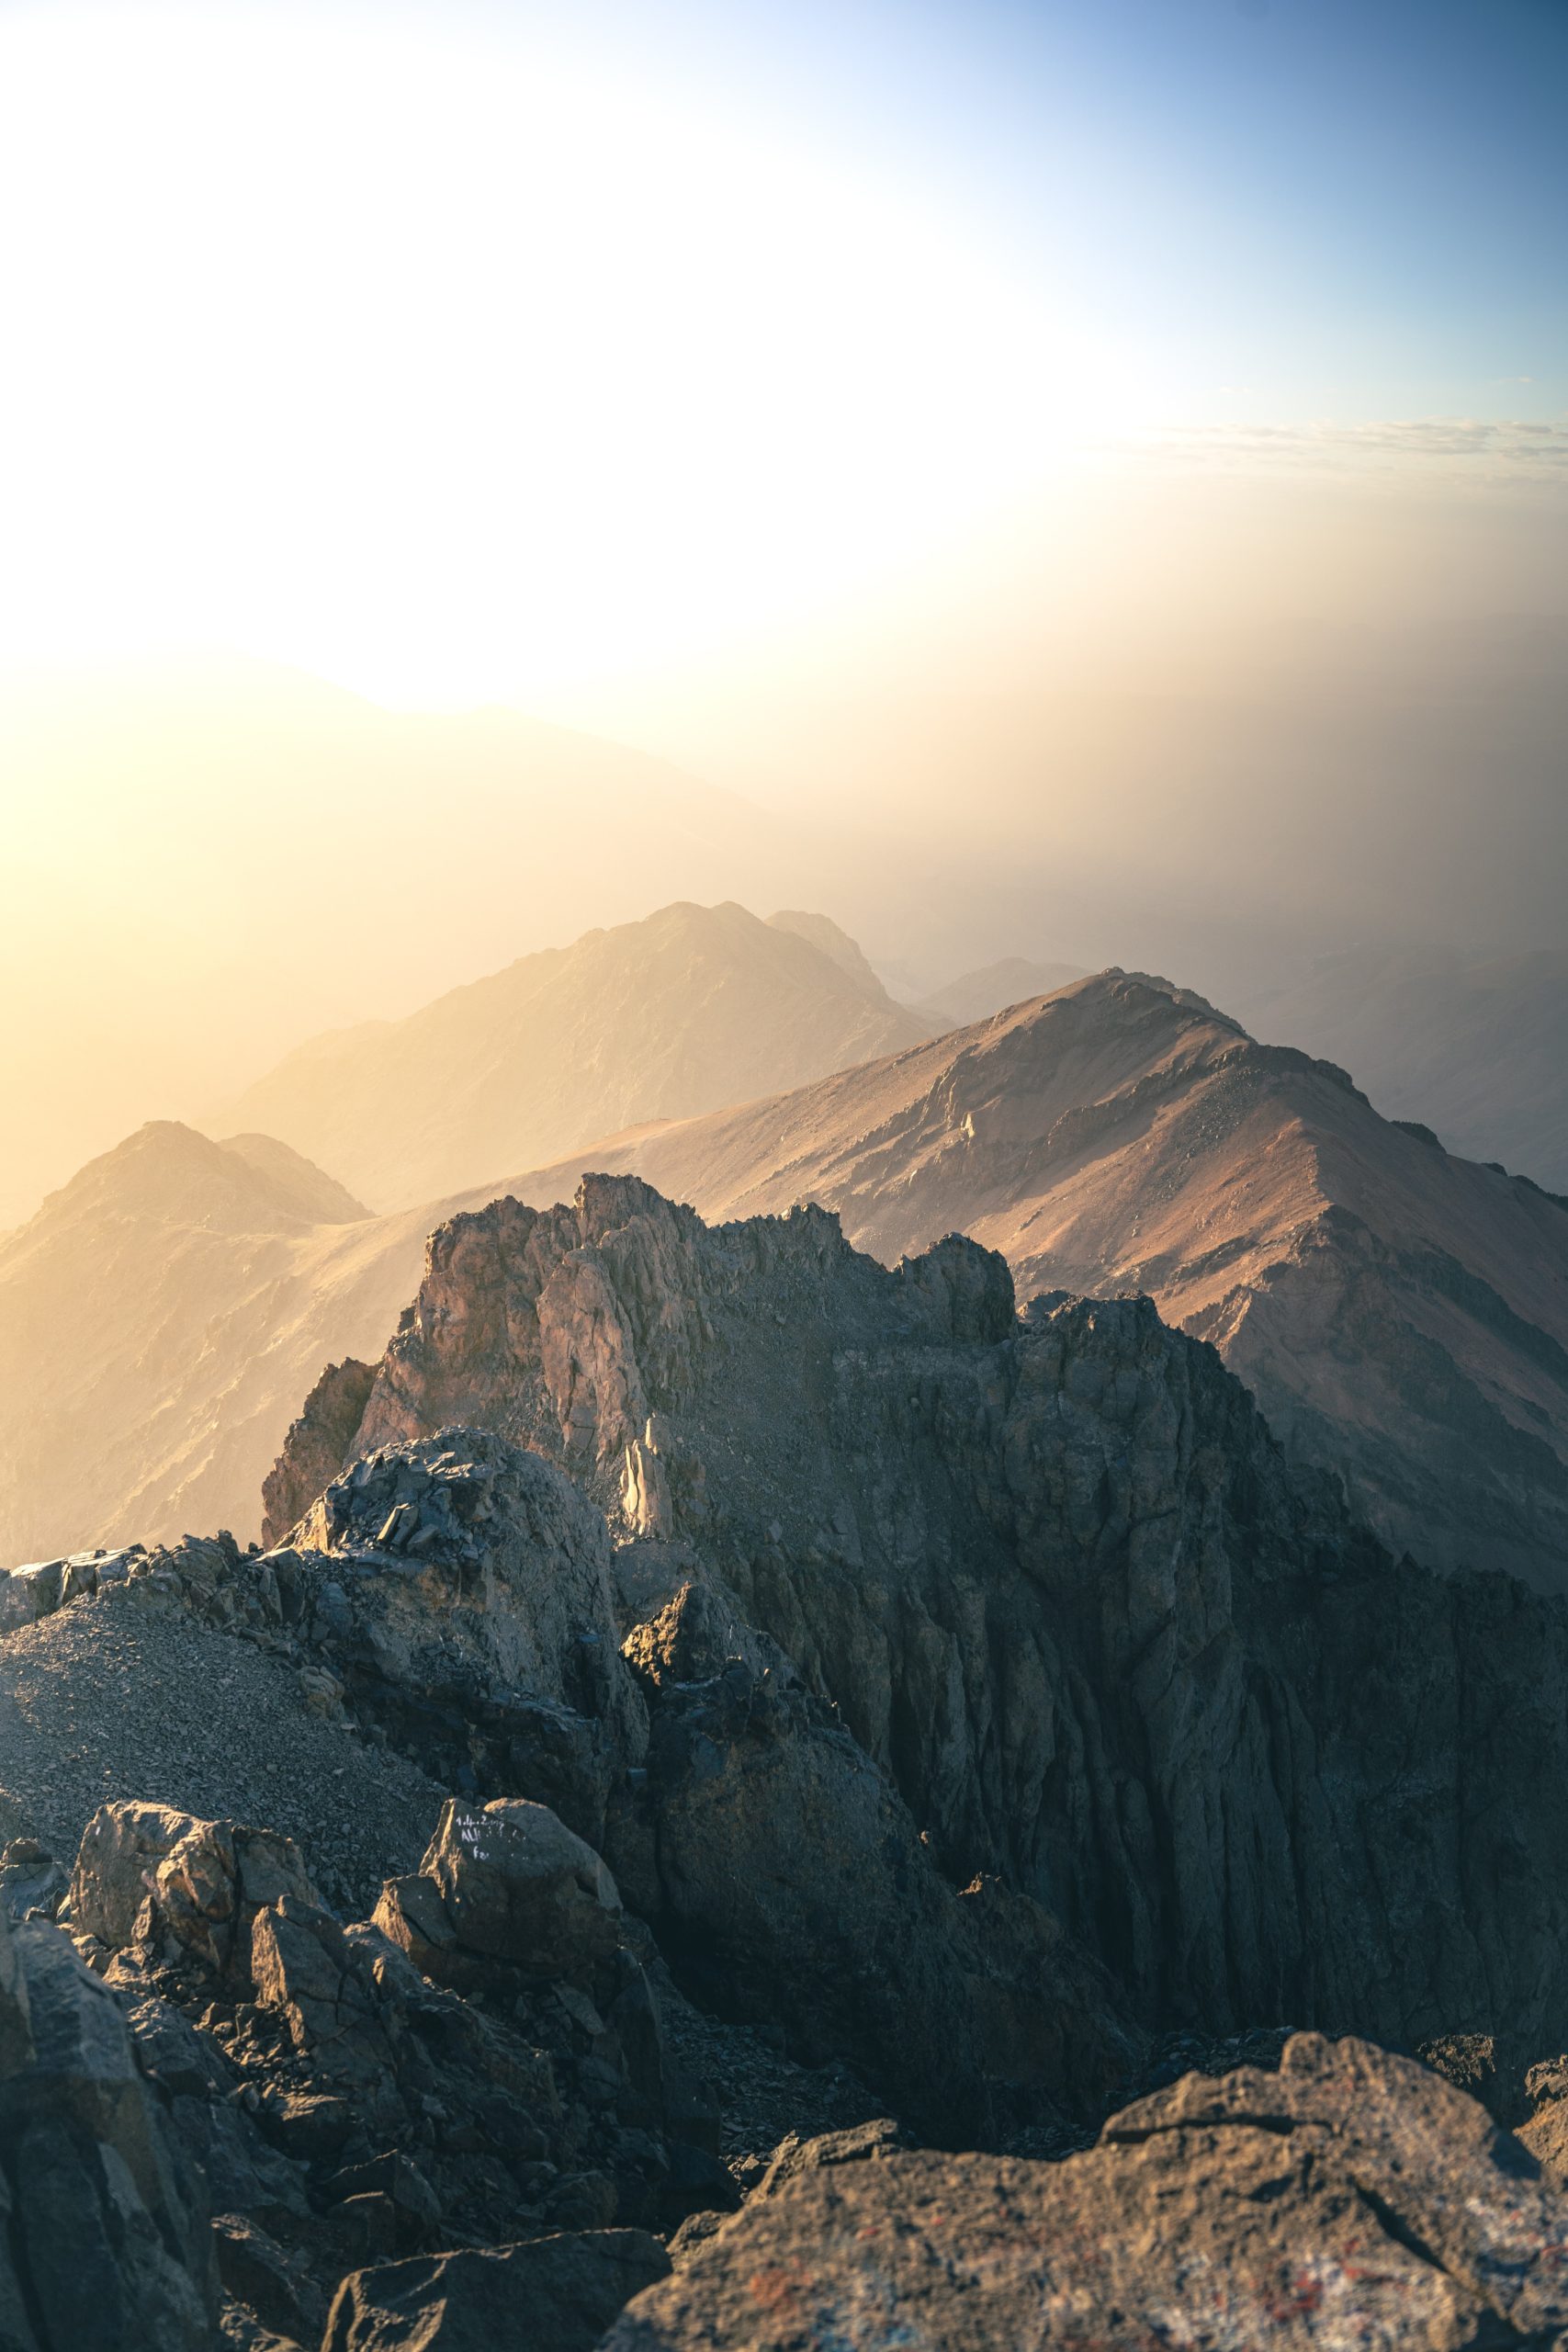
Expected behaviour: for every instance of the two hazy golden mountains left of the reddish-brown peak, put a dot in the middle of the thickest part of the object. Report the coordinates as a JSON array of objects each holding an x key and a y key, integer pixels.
[{"x": 163, "y": 1316}]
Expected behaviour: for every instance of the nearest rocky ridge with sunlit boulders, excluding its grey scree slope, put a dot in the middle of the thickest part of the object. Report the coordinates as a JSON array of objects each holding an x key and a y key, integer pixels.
[{"x": 469, "y": 2120}]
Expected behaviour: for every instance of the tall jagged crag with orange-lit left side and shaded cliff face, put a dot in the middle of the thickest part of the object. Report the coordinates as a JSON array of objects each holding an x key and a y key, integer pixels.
[{"x": 1064, "y": 1591}]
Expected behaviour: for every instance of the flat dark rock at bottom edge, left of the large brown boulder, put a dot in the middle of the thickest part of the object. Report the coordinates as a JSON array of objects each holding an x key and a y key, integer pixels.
[{"x": 554, "y": 2294}]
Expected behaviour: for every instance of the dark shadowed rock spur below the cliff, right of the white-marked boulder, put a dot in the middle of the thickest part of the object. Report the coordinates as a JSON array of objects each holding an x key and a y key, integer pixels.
[{"x": 789, "y": 1885}]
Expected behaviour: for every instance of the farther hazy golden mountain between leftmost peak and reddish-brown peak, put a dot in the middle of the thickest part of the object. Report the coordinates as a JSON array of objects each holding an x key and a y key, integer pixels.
[{"x": 676, "y": 1015}]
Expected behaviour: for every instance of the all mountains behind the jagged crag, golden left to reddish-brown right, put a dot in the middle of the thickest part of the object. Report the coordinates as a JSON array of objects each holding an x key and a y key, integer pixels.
[{"x": 1400, "y": 1314}]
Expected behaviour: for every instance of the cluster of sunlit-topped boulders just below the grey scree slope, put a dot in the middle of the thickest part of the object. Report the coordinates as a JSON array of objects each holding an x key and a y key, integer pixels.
[{"x": 347, "y": 2106}]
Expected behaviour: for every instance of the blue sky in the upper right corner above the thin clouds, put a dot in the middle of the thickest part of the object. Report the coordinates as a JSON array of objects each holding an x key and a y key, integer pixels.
[{"x": 1358, "y": 208}]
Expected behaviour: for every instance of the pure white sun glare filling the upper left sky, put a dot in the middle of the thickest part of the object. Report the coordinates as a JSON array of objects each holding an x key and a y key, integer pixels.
[{"x": 438, "y": 380}]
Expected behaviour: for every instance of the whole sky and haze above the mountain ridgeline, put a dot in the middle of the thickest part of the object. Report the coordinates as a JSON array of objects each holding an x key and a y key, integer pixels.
[{"x": 1106, "y": 455}]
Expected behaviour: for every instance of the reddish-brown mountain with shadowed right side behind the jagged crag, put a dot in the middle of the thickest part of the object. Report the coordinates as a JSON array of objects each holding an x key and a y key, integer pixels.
[{"x": 1400, "y": 1314}]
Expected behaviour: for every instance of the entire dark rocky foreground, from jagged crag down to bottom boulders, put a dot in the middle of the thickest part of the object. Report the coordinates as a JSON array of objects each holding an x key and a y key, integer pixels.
[{"x": 758, "y": 1798}]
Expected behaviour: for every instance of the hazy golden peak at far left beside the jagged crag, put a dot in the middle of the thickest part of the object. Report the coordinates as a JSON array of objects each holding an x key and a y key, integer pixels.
[{"x": 159, "y": 1316}]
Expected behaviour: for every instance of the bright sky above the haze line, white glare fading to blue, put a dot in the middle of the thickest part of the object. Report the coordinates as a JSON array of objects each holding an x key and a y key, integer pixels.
[{"x": 561, "y": 356}]
